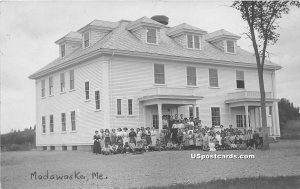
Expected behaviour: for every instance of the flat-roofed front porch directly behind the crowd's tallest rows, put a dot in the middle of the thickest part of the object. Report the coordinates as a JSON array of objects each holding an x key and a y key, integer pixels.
[{"x": 161, "y": 101}]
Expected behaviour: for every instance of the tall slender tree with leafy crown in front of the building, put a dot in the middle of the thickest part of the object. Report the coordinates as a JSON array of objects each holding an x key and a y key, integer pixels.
[{"x": 262, "y": 20}]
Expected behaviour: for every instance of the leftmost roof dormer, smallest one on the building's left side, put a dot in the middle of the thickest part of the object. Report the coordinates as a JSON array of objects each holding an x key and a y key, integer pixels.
[{"x": 69, "y": 43}]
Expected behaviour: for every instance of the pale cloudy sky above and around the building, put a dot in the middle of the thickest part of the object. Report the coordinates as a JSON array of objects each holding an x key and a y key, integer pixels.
[{"x": 28, "y": 31}]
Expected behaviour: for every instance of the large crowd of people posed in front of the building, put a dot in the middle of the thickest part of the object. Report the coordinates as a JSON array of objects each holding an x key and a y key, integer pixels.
[{"x": 177, "y": 134}]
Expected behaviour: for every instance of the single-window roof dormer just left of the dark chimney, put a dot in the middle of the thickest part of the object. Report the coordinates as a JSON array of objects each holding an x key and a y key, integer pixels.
[{"x": 147, "y": 30}]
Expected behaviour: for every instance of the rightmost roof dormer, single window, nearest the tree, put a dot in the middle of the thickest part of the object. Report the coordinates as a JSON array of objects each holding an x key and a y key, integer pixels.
[{"x": 224, "y": 40}]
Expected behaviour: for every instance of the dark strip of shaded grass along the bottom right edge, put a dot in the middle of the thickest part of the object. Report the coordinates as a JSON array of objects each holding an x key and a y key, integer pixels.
[{"x": 288, "y": 182}]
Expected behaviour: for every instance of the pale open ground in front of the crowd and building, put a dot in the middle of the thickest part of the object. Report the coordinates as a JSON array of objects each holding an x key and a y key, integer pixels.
[{"x": 277, "y": 168}]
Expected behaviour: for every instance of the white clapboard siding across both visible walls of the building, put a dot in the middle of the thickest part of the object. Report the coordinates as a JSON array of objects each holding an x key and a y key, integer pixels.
[{"x": 124, "y": 78}]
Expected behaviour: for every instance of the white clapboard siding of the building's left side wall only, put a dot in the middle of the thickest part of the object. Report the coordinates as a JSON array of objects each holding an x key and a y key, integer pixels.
[{"x": 87, "y": 119}]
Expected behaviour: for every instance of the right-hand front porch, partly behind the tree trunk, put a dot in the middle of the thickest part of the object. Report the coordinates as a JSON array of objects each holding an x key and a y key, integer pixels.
[{"x": 245, "y": 111}]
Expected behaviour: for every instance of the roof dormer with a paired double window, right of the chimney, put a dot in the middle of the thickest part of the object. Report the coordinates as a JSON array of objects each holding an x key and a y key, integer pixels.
[{"x": 187, "y": 36}]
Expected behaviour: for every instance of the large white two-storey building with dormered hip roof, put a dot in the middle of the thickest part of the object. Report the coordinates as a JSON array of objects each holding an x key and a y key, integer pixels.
[{"x": 131, "y": 73}]
